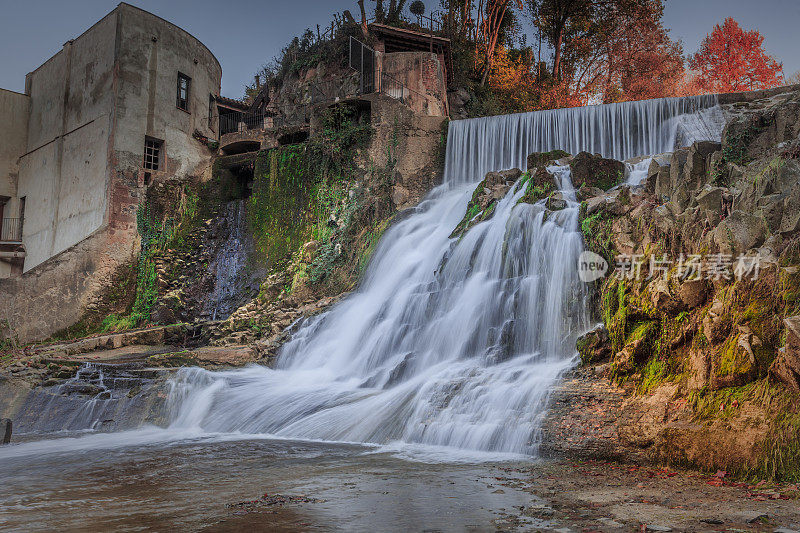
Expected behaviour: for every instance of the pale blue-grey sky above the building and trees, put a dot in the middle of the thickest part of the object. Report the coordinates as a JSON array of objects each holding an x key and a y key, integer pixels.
[{"x": 245, "y": 34}]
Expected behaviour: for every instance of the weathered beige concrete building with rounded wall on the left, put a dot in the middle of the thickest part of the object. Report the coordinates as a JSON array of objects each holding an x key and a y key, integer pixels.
[{"x": 128, "y": 103}]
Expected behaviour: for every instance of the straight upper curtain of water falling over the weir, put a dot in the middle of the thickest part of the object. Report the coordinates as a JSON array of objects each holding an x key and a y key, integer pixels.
[{"x": 620, "y": 131}]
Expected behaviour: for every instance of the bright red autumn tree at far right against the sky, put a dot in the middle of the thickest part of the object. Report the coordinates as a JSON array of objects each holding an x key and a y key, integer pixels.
[{"x": 731, "y": 59}]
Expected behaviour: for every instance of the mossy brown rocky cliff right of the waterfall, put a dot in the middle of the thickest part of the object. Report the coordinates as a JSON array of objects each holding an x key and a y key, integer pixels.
[{"x": 702, "y": 327}]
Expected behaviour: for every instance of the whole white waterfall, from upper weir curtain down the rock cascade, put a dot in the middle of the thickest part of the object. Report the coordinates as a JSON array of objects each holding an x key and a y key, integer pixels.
[{"x": 447, "y": 342}]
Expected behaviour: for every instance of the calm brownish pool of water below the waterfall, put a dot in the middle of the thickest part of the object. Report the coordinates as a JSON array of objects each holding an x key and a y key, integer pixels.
[{"x": 186, "y": 485}]
